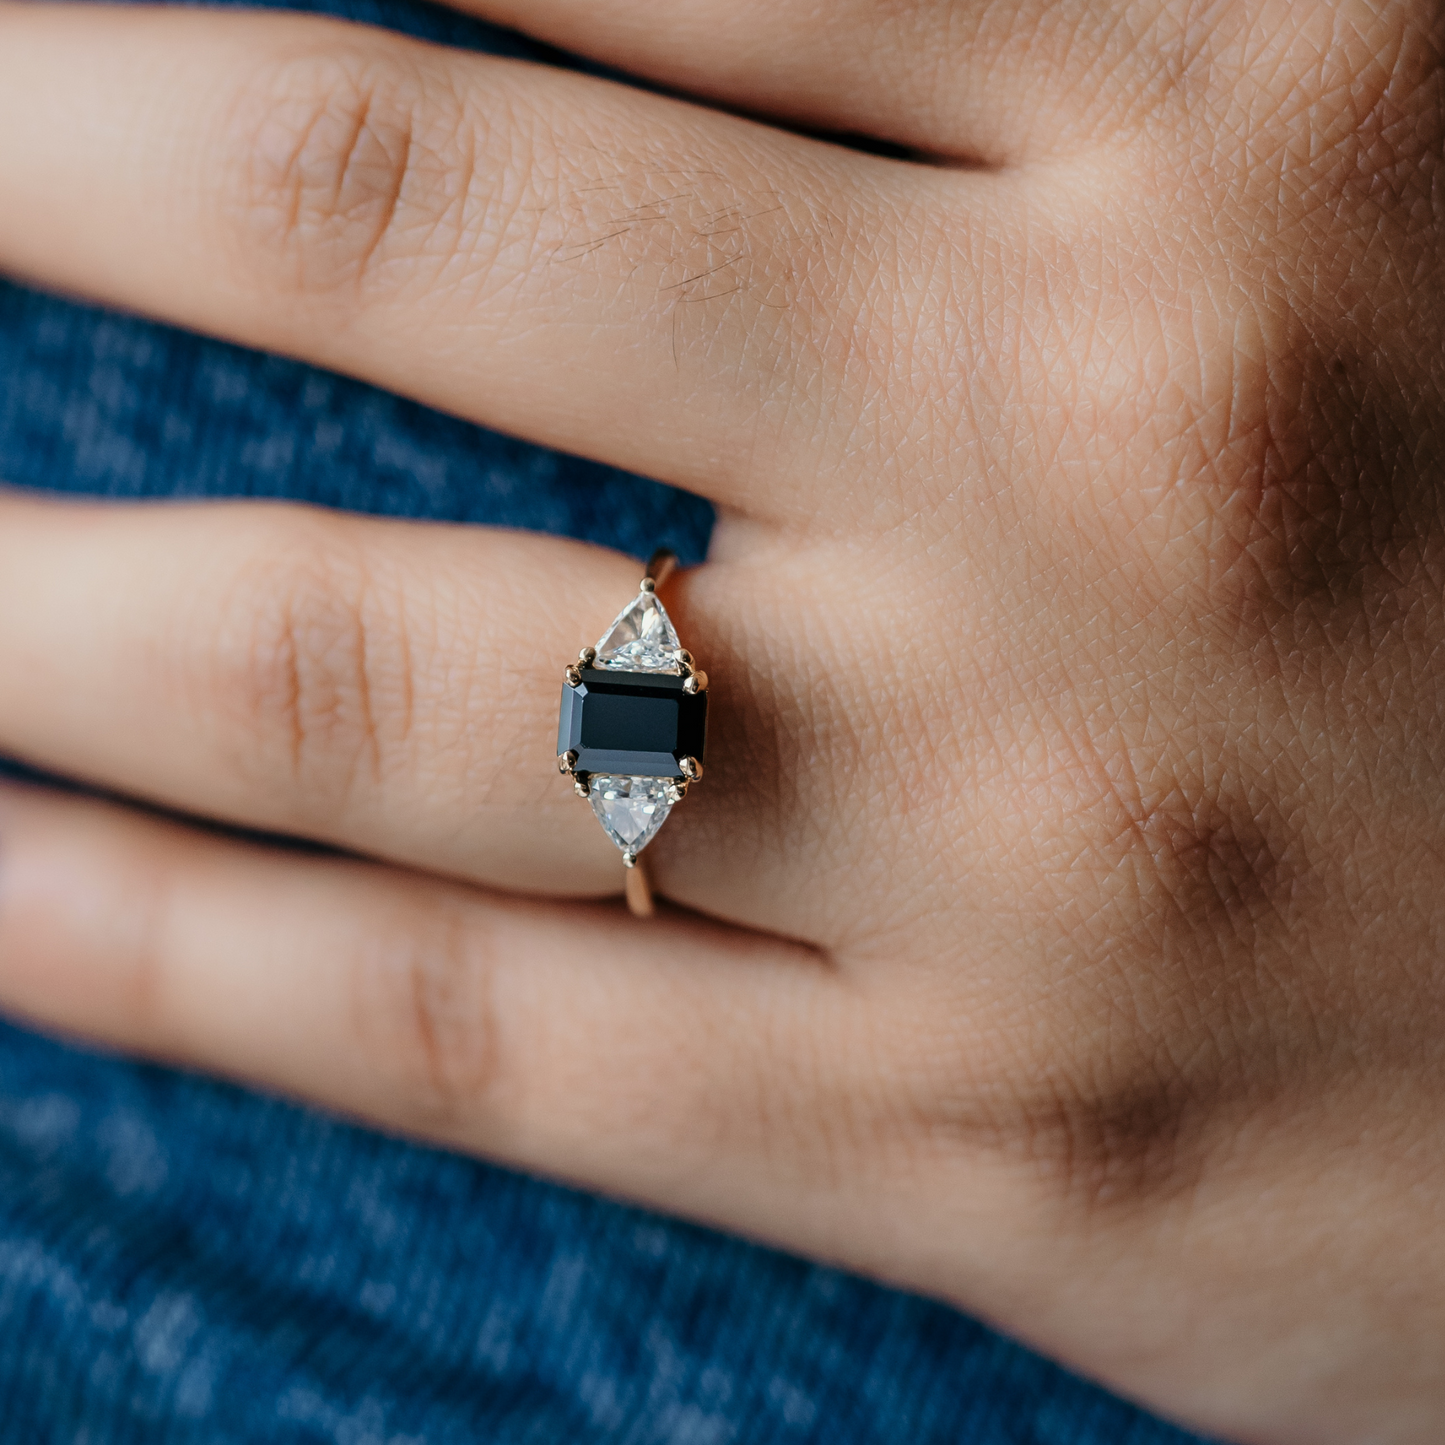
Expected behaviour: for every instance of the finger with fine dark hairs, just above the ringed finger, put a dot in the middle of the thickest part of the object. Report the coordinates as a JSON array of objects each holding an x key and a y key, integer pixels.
[{"x": 603, "y": 271}]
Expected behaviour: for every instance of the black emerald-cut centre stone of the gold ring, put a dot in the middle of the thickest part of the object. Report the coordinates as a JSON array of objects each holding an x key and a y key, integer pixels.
[{"x": 634, "y": 723}]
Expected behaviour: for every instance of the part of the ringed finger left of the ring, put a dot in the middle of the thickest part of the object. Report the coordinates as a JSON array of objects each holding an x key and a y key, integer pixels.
[{"x": 382, "y": 687}]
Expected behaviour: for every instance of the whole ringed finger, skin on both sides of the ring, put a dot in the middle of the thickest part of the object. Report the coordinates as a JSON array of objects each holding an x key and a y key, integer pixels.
[{"x": 394, "y": 690}]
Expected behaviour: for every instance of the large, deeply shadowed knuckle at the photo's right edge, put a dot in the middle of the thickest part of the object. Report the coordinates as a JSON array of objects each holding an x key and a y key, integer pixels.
[{"x": 1284, "y": 480}]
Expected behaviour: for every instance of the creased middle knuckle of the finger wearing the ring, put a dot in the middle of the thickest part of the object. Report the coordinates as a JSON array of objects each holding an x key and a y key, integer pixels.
[{"x": 313, "y": 674}]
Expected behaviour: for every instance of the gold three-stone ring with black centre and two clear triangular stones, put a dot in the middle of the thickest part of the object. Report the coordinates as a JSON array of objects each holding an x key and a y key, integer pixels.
[{"x": 634, "y": 726}]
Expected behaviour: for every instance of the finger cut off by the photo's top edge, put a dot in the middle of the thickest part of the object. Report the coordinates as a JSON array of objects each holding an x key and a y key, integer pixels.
[{"x": 970, "y": 80}]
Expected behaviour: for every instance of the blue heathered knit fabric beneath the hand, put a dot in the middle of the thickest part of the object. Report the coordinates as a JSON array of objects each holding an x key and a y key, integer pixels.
[{"x": 190, "y": 1262}]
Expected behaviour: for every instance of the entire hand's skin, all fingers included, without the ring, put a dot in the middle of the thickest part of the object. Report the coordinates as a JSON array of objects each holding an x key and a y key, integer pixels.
[{"x": 1058, "y": 927}]
